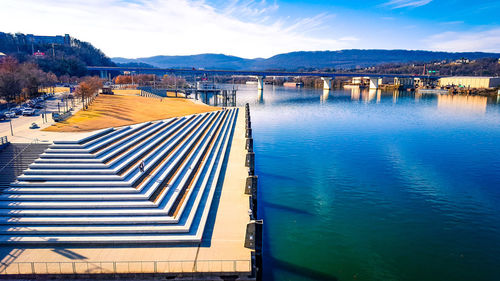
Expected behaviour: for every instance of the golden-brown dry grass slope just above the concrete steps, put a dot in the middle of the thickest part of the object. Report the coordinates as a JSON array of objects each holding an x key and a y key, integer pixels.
[{"x": 125, "y": 108}]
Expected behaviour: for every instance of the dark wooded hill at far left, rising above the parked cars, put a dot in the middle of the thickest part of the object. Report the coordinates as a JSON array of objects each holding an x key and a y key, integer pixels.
[{"x": 61, "y": 55}]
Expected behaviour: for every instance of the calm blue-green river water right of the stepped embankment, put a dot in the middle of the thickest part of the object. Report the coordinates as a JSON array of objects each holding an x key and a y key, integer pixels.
[{"x": 360, "y": 185}]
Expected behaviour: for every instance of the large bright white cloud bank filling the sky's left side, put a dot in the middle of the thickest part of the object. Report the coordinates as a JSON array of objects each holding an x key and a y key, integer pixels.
[{"x": 142, "y": 28}]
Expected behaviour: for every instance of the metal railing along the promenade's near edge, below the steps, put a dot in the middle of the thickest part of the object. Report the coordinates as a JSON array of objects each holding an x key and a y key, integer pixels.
[{"x": 126, "y": 267}]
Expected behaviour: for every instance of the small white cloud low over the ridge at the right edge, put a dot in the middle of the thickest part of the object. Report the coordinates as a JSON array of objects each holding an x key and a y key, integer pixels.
[{"x": 470, "y": 41}]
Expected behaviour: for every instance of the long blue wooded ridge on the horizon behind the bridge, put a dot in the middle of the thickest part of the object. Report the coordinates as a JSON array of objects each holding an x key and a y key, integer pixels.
[{"x": 343, "y": 59}]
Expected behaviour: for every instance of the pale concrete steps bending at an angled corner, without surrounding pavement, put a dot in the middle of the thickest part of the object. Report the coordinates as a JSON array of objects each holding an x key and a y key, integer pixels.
[{"x": 70, "y": 202}]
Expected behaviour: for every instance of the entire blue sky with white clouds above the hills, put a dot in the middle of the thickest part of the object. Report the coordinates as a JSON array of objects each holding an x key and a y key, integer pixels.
[{"x": 251, "y": 28}]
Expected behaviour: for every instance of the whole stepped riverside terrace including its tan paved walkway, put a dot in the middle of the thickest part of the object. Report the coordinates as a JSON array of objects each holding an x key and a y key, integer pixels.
[{"x": 154, "y": 197}]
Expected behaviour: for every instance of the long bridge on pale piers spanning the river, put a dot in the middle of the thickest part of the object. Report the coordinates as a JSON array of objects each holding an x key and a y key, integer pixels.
[{"x": 327, "y": 77}]
